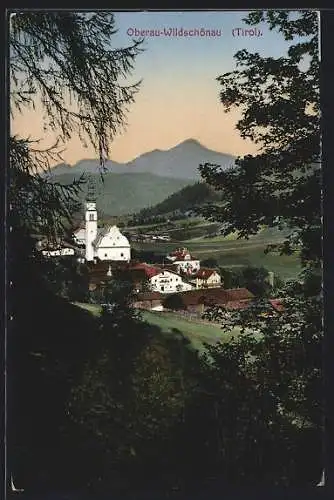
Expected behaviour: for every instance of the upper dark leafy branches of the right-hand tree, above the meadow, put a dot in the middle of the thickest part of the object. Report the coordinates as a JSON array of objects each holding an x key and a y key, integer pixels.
[{"x": 279, "y": 100}]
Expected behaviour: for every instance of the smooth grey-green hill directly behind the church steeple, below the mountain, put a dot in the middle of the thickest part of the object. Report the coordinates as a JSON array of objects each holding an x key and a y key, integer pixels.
[{"x": 120, "y": 194}]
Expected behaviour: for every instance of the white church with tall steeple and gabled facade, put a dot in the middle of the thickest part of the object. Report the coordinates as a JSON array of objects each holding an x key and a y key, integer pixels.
[{"x": 107, "y": 243}]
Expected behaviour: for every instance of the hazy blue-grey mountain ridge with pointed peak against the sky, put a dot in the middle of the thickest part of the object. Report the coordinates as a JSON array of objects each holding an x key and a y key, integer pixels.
[{"x": 179, "y": 162}]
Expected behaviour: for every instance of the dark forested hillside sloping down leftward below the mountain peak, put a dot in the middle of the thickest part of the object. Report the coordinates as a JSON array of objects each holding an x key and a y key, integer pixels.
[{"x": 183, "y": 200}]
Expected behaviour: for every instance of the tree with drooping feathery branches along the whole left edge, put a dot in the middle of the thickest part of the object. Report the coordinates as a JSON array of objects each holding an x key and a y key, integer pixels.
[{"x": 64, "y": 64}]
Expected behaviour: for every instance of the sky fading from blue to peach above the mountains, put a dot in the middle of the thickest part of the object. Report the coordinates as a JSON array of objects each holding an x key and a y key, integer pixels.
[{"x": 179, "y": 96}]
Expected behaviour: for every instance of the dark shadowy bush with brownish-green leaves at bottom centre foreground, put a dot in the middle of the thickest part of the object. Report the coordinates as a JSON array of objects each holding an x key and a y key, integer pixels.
[{"x": 129, "y": 399}]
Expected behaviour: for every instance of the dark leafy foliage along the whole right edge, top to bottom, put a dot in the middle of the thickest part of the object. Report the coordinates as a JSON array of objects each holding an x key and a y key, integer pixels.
[{"x": 279, "y": 187}]
